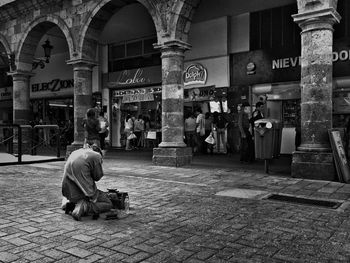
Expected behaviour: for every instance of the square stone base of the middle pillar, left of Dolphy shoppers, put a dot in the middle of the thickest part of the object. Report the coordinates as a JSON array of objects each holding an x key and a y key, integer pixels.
[{"x": 172, "y": 156}]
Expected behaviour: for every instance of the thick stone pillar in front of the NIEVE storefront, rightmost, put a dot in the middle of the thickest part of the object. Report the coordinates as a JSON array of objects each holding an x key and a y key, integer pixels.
[{"x": 314, "y": 159}]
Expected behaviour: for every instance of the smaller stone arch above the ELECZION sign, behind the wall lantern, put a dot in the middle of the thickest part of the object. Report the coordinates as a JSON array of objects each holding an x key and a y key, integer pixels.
[{"x": 32, "y": 34}]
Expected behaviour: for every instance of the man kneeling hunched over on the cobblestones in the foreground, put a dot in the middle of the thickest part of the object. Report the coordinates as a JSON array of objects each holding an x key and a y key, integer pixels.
[{"x": 82, "y": 169}]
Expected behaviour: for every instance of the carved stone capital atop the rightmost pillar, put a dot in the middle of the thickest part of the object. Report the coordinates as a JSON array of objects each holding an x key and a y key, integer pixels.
[{"x": 317, "y": 19}]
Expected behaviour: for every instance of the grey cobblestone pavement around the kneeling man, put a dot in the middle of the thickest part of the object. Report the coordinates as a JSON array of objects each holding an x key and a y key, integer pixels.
[{"x": 178, "y": 215}]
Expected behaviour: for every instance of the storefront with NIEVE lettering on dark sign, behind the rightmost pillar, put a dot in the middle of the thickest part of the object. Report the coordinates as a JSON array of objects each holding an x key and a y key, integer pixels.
[{"x": 274, "y": 76}]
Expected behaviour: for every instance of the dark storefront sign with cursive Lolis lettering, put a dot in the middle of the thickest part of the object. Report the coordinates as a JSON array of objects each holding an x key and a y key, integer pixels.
[{"x": 134, "y": 77}]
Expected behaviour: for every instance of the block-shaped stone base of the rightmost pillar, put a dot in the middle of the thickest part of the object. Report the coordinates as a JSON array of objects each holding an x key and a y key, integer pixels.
[{"x": 313, "y": 165}]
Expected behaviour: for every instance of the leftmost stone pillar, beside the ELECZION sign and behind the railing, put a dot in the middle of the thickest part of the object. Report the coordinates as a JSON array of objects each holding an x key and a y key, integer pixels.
[{"x": 21, "y": 108}]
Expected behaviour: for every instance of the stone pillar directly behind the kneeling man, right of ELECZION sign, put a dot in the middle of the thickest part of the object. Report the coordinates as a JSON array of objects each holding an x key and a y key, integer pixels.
[{"x": 82, "y": 98}]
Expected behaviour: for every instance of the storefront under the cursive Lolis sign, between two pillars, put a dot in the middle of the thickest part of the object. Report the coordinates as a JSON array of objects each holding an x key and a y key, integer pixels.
[{"x": 136, "y": 92}]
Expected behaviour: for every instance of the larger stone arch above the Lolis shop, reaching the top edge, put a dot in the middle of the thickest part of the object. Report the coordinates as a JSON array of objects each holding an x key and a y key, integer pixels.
[{"x": 97, "y": 19}]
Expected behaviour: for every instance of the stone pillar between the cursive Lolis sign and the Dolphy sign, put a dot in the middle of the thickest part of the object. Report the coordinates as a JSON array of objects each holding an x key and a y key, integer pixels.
[{"x": 172, "y": 151}]
